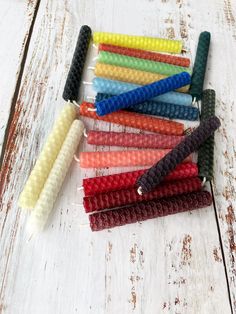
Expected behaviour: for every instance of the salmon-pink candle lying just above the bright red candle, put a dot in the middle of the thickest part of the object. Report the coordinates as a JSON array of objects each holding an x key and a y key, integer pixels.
[{"x": 128, "y": 158}]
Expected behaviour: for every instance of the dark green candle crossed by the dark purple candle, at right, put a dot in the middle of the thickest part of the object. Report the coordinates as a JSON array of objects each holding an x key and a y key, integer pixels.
[{"x": 206, "y": 151}]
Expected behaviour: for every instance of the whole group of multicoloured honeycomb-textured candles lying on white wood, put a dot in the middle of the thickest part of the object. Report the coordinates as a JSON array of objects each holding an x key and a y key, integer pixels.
[{"x": 130, "y": 76}]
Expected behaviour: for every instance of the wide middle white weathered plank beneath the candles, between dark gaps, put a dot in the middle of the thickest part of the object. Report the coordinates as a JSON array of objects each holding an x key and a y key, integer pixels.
[{"x": 170, "y": 265}]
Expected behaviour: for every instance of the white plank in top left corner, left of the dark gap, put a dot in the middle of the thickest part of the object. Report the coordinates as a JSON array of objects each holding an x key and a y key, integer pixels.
[{"x": 16, "y": 18}]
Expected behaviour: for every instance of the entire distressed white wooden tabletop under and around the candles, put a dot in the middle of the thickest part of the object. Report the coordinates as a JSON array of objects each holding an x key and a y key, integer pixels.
[{"x": 184, "y": 263}]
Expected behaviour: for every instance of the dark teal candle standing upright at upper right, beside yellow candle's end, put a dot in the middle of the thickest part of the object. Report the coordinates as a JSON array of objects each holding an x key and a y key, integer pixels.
[{"x": 200, "y": 64}]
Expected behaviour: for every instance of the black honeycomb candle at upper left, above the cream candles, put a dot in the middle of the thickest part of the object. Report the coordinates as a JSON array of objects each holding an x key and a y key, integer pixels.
[{"x": 71, "y": 89}]
